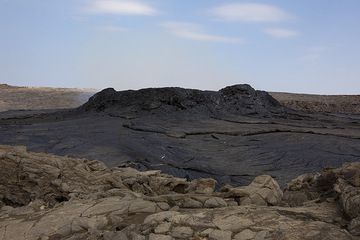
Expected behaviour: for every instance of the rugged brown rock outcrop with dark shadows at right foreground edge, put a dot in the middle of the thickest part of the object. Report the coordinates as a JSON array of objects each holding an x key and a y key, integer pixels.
[{"x": 341, "y": 185}]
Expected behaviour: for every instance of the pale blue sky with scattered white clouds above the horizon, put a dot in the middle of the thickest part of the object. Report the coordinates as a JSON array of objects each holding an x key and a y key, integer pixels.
[{"x": 304, "y": 46}]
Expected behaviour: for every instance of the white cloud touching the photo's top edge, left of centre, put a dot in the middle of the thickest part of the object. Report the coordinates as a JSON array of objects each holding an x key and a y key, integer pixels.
[{"x": 121, "y": 7}]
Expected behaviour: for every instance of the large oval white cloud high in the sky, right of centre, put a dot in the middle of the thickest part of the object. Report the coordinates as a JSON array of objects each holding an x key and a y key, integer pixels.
[{"x": 249, "y": 12}]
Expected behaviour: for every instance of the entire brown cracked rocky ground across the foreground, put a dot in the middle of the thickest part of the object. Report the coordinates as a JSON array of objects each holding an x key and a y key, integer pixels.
[{"x": 51, "y": 197}]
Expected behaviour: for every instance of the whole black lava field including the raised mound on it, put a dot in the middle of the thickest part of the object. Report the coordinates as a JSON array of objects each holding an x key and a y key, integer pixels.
[{"x": 232, "y": 135}]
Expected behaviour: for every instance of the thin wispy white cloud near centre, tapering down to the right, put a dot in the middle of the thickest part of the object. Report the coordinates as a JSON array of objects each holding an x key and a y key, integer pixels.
[{"x": 195, "y": 32}]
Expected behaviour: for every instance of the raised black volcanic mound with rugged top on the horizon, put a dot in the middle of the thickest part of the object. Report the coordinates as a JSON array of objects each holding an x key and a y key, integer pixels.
[{"x": 237, "y": 99}]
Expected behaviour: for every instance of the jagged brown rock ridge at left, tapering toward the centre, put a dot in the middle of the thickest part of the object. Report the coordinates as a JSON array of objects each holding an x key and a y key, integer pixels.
[{"x": 27, "y": 177}]
